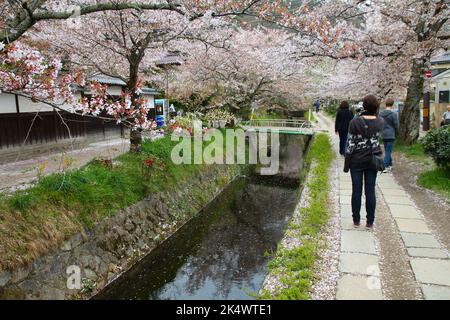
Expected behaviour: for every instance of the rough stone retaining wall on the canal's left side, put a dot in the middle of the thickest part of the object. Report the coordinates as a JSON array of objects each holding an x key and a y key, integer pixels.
[{"x": 90, "y": 260}]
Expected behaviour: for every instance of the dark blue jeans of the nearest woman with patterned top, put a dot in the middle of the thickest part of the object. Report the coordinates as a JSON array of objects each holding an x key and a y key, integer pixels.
[{"x": 363, "y": 175}]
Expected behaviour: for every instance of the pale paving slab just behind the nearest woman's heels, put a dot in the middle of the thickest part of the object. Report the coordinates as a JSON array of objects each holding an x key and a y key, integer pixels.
[{"x": 357, "y": 241}]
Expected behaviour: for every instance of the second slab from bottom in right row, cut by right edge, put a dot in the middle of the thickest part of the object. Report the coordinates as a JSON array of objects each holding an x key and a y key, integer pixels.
[{"x": 431, "y": 271}]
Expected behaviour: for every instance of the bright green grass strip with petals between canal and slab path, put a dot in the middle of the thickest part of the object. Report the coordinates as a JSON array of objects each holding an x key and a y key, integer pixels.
[{"x": 291, "y": 271}]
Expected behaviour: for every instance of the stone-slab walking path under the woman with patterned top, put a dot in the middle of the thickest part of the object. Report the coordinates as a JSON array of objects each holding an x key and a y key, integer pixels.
[{"x": 368, "y": 270}]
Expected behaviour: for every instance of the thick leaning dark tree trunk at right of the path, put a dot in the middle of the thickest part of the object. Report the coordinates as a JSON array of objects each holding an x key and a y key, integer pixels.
[{"x": 410, "y": 116}]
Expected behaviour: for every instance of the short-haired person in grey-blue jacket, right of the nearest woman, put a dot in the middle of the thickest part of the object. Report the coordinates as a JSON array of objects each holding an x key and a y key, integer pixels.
[{"x": 390, "y": 131}]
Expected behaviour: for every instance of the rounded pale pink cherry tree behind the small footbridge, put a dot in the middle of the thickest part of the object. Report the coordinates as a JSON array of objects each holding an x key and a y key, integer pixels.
[{"x": 253, "y": 69}]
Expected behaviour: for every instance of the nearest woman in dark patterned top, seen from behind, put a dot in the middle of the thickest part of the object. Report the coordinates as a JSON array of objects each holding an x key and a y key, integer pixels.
[{"x": 362, "y": 143}]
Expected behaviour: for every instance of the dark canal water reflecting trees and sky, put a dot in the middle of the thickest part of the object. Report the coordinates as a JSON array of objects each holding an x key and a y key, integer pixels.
[{"x": 222, "y": 252}]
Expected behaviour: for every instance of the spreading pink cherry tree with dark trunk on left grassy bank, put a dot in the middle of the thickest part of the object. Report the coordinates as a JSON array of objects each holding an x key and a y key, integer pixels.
[{"x": 126, "y": 45}]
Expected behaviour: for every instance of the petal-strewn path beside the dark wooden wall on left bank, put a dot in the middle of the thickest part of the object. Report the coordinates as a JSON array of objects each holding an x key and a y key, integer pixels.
[{"x": 20, "y": 174}]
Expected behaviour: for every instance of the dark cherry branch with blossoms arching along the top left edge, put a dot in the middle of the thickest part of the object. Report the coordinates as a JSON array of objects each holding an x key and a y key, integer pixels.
[{"x": 22, "y": 15}]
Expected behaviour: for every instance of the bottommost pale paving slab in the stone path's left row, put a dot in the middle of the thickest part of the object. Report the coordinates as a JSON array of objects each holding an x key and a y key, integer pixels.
[{"x": 352, "y": 287}]
